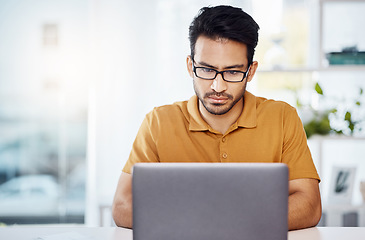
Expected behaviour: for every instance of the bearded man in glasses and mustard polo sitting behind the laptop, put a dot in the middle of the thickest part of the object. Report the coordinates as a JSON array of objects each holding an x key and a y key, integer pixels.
[{"x": 224, "y": 122}]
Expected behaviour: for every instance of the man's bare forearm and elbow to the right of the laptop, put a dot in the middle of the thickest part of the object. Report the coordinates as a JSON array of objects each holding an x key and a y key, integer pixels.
[{"x": 305, "y": 207}]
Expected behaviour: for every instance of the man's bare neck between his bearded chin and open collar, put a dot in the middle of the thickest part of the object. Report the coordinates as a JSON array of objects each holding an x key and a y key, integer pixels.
[{"x": 222, "y": 123}]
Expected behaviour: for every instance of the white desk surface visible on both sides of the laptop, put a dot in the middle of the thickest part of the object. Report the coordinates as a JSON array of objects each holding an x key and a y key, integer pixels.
[{"x": 114, "y": 233}]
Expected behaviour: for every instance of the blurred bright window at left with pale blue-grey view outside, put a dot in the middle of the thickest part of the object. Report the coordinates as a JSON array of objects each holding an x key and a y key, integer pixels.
[{"x": 43, "y": 112}]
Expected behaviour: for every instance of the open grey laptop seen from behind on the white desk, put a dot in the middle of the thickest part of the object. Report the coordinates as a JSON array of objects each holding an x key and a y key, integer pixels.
[{"x": 210, "y": 201}]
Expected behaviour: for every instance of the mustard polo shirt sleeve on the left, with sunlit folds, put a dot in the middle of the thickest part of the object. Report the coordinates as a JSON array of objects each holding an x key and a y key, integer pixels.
[{"x": 144, "y": 147}]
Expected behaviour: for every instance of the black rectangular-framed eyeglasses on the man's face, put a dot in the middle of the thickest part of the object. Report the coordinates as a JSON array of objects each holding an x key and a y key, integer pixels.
[{"x": 227, "y": 75}]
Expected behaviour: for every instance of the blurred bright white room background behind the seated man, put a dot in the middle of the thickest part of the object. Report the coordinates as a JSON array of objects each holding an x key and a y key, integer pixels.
[{"x": 78, "y": 76}]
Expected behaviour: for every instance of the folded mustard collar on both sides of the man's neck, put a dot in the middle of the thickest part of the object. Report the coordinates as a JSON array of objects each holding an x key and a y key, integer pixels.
[{"x": 247, "y": 118}]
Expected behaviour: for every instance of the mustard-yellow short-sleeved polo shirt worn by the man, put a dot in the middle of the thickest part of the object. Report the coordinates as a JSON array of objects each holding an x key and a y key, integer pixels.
[{"x": 266, "y": 131}]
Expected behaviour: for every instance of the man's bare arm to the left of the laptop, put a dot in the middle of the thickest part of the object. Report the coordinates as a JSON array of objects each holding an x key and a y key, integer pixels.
[{"x": 122, "y": 204}]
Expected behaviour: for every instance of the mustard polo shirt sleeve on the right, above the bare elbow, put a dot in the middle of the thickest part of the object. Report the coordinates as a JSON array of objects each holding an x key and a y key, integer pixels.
[{"x": 296, "y": 153}]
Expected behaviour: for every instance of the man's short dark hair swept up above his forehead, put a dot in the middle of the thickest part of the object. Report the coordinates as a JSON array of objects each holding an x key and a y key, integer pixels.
[{"x": 225, "y": 22}]
